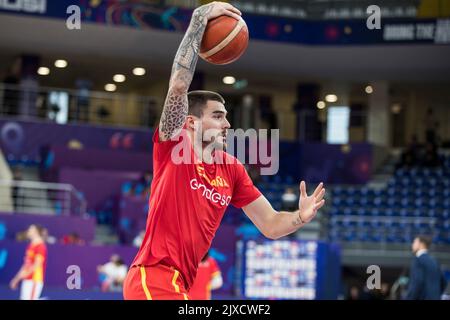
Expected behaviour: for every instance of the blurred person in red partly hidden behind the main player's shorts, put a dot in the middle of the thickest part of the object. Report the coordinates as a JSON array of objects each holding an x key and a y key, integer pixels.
[{"x": 208, "y": 278}]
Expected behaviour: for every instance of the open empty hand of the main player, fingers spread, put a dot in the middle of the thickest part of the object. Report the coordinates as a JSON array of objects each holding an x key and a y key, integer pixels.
[{"x": 309, "y": 205}]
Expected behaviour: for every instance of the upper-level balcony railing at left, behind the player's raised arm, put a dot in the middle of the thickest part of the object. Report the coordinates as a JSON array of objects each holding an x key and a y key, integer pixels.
[{"x": 62, "y": 105}]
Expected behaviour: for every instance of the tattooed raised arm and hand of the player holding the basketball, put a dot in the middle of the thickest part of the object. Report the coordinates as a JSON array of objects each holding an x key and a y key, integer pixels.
[{"x": 175, "y": 108}]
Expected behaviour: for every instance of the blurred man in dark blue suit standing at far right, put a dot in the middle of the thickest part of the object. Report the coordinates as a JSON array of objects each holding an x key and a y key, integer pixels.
[{"x": 426, "y": 281}]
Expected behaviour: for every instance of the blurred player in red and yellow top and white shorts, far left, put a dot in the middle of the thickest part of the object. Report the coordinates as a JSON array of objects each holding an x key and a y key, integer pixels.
[{"x": 33, "y": 269}]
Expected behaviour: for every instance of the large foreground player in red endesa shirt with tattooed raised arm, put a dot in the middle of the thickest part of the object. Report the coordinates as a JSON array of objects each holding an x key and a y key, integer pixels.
[{"x": 188, "y": 200}]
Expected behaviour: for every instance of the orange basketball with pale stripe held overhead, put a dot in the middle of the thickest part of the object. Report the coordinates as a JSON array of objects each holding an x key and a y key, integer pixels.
[{"x": 225, "y": 40}]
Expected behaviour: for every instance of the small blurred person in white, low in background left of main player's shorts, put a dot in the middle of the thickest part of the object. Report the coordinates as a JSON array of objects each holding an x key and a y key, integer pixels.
[{"x": 112, "y": 274}]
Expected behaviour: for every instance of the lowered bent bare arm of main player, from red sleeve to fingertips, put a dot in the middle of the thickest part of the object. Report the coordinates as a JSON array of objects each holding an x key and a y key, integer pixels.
[{"x": 273, "y": 224}]
